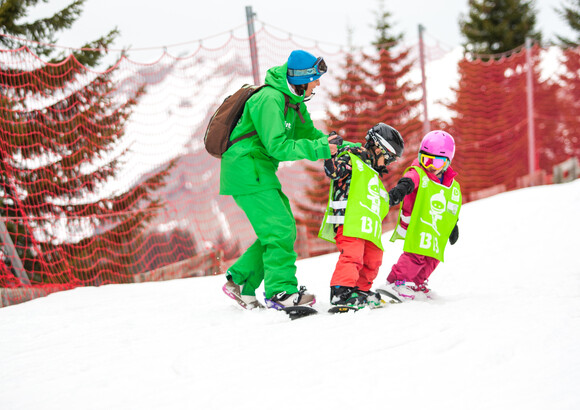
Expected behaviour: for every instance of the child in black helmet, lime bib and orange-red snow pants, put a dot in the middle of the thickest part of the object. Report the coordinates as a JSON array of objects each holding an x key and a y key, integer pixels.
[{"x": 357, "y": 205}]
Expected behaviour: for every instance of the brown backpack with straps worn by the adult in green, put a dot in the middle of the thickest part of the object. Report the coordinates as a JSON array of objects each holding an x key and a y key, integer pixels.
[{"x": 226, "y": 117}]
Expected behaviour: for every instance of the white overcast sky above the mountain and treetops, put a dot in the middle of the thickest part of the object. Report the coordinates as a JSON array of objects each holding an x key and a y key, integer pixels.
[{"x": 146, "y": 23}]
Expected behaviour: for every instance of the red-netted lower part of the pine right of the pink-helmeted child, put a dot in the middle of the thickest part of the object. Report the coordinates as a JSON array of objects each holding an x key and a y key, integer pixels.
[{"x": 489, "y": 124}]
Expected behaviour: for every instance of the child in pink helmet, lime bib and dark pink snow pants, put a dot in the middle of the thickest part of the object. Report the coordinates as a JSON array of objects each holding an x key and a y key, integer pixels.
[{"x": 427, "y": 219}]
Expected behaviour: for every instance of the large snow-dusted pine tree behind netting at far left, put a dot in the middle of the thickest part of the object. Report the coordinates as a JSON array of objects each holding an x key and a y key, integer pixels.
[{"x": 61, "y": 126}]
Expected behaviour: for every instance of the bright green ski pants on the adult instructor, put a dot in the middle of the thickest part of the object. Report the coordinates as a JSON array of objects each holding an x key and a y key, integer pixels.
[{"x": 271, "y": 258}]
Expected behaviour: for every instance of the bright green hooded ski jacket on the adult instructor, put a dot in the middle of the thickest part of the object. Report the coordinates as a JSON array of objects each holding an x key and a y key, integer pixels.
[{"x": 250, "y": 165}]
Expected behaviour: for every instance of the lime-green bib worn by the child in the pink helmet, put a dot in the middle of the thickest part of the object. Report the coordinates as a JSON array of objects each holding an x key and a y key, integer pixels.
[{"x": 434, "y": 216}]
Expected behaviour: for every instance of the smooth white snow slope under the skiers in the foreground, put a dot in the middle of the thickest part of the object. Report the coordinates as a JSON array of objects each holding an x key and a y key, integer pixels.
[{"x": 502, "y": 333}]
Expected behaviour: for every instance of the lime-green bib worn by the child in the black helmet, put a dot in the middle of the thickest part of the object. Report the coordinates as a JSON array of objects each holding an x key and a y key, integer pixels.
[{"x": 365, "y": 208}]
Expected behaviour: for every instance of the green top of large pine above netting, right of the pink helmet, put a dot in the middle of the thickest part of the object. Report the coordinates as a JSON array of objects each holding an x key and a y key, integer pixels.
[{"x": 498, "y": 26}]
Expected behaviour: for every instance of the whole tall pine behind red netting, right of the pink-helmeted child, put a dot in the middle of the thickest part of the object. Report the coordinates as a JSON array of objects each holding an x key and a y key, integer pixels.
[{"x": 491, "y": 118}]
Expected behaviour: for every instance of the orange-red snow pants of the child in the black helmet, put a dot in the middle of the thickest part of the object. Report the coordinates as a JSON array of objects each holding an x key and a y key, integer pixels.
[{"x": 358, "y": 263}]
